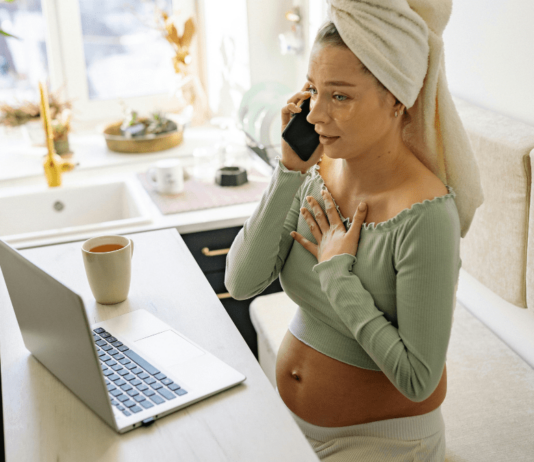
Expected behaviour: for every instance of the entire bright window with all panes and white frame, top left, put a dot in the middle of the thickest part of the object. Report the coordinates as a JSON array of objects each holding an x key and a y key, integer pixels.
[{"x": 104, "y": 53}]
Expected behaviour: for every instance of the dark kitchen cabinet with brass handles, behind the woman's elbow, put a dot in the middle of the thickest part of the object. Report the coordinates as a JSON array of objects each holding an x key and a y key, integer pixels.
[{"x": 209, "y": 248}]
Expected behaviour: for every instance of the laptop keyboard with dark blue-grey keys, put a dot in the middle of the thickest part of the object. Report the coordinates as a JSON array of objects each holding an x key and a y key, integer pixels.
[{"x": 133, "y": 383}]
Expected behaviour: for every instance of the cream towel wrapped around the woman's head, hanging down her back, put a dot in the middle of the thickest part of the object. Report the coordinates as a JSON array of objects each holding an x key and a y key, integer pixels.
[{"x": 400, "y": 42}]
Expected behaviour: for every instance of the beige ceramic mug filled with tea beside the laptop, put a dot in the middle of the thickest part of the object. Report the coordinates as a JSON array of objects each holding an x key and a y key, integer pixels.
[{"x": 108, "y": 264}]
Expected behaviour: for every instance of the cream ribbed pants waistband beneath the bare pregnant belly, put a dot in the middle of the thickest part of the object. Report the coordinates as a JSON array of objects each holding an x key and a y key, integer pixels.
[{"x": 402, "y": 428}]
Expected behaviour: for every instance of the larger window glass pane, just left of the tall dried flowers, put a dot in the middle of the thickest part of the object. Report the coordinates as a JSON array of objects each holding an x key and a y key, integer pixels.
[{"x": 124, "y": 55}]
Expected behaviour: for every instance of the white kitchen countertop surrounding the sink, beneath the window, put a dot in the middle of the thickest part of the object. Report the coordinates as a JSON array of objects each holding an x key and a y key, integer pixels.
[{"x": 21, "y": 171}]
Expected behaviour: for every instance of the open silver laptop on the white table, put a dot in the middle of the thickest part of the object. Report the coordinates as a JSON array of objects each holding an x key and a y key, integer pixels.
[{"x": 130, "y": 370}]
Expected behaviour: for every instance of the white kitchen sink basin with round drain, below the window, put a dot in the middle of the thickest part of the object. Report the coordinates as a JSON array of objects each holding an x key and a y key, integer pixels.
[{"x": 96, "y": 207}]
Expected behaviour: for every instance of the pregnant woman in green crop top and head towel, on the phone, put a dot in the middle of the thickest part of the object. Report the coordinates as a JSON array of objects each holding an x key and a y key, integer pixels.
[{"x": 365, "y": 237}]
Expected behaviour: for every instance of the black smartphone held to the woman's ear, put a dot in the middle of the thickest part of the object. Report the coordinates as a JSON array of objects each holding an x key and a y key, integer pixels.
[{"x": 300, "y": 134}]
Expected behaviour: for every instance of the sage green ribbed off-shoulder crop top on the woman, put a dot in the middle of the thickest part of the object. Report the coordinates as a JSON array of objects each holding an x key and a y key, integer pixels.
[{"x": 388, "y": 308}]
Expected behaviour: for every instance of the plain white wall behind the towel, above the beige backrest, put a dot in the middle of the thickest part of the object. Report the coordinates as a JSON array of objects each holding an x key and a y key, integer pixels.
[{"x": 489, "y": 55}]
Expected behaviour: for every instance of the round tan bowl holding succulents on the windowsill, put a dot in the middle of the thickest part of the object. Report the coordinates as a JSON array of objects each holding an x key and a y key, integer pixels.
[{"x": 141, "y": 144}]
